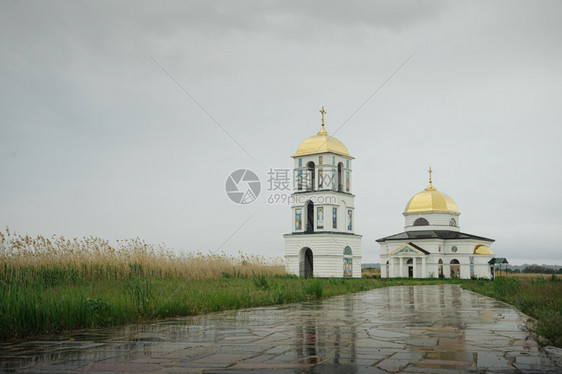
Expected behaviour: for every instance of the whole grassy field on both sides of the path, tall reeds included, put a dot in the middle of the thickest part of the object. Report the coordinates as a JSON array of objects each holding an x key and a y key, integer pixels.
[{"x": 49, "y": 285}]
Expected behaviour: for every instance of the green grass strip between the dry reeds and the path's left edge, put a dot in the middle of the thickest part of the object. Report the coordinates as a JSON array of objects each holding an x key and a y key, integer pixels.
[{"x": 51, "y": 307}]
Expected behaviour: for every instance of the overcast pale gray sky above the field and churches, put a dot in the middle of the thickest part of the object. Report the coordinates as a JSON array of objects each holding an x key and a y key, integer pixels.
[{"x": 96, "y": 139}]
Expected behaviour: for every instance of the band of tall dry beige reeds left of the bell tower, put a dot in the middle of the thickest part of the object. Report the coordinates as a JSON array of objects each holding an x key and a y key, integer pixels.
[{"x": 28, "y": 259}]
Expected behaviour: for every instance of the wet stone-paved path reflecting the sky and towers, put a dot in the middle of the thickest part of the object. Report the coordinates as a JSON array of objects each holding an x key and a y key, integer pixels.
[{"x": 410, "y": 329}]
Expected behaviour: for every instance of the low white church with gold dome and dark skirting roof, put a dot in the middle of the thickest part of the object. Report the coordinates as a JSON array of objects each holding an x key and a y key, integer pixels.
[{"x": 432, "y": 244}]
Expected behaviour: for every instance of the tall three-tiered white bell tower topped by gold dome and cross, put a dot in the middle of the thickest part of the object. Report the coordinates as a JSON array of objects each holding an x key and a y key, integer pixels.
[{"x": 323, "y": 242}]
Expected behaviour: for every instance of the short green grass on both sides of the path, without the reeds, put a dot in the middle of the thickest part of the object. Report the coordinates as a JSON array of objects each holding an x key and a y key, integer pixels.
[{"x": 63, "y": 302}]
